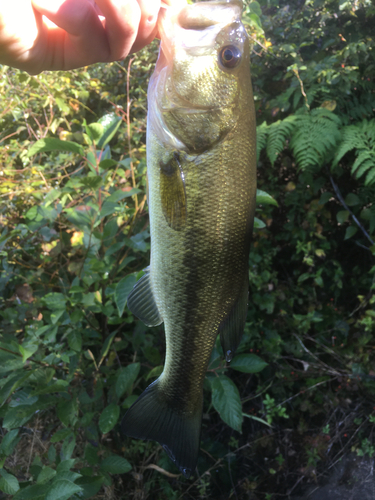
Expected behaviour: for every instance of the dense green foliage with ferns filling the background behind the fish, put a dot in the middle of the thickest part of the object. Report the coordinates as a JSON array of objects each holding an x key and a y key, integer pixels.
[{"x": 74, "y": 237}]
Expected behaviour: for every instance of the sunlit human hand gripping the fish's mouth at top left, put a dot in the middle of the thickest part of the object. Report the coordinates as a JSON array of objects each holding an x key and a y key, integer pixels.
[{"x": 86, "y": 32}]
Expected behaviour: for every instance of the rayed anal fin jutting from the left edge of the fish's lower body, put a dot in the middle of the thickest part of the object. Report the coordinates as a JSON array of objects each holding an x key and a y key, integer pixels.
[{"x": 141, "y": 301}]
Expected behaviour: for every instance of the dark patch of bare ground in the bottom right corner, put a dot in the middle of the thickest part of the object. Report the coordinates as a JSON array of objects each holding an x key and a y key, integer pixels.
[{"x": 350, "y": 479}]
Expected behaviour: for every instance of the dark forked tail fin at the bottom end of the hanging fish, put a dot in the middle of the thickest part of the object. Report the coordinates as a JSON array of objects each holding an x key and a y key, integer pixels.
[{"x": 151, "y": 417}]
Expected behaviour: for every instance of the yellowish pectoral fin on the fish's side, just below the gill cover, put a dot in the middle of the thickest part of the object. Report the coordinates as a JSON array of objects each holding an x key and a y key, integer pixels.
[{"x": 173, "y": 194}]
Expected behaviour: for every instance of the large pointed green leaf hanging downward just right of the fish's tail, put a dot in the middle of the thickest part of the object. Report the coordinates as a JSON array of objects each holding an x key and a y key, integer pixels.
[{"x": 226, "y": 401}]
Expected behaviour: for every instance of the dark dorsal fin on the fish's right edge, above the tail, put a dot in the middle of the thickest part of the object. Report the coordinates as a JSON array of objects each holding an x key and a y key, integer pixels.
[{"x": 232, "y": 328}]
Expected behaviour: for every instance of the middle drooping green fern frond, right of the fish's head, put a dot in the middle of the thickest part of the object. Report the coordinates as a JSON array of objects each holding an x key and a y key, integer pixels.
[{"x": 315, "y": 137}]
